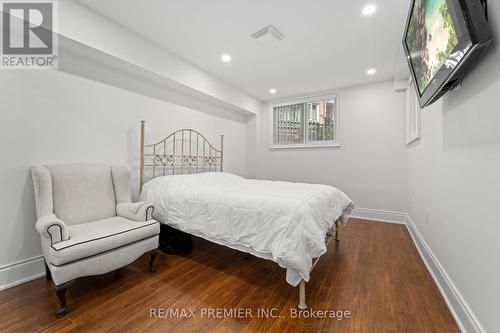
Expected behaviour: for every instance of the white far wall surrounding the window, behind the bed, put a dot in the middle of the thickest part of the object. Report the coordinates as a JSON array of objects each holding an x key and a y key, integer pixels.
[{"x": 371, "y": 164}]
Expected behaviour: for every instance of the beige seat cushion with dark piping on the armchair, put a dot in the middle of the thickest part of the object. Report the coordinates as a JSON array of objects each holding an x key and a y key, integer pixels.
[{"x": 93, "y": 238}]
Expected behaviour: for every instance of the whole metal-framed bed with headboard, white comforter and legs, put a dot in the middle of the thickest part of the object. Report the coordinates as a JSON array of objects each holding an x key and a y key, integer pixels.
[{"x": 288, "y": 223}]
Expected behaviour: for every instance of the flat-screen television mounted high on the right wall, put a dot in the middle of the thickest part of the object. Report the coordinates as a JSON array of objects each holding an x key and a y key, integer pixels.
[{"x": 442, "y": 40}]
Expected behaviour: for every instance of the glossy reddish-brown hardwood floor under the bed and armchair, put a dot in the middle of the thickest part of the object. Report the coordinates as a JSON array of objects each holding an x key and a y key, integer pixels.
[{"x": 374, "y": 272}]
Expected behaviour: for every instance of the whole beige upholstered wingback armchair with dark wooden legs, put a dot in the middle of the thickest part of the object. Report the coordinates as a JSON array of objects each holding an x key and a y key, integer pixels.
[{"x": 87, "y": 222}]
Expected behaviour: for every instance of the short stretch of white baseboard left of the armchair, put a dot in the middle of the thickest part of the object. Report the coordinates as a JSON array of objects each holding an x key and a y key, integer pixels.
[{"x": 21, "y": 271}]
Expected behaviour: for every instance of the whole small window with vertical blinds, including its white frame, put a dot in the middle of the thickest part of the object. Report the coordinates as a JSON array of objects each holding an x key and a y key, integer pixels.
[{"x": 307, "y": 123}]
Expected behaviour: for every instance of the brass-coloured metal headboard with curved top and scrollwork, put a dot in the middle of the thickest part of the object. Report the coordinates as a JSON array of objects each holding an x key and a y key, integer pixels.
[{"x": 185, "y": 151}]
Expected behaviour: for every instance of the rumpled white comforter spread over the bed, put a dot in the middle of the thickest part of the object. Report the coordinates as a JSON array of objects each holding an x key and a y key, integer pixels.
[{"x": 281, "y": 221}]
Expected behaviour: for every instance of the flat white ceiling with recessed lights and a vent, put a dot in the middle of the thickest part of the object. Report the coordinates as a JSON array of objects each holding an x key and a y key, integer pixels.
[{"x": 328, "y": 43}]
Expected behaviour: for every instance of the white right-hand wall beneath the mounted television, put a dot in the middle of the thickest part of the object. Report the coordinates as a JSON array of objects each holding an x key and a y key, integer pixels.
[{"x": 454, "y": 175}]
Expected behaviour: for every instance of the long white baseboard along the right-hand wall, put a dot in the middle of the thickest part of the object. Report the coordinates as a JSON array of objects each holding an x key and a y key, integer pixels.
[{"x": 461, "y": 311}]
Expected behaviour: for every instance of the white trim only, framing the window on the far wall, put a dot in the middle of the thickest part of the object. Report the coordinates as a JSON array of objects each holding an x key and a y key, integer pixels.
[{"x": 318, "y": 144}]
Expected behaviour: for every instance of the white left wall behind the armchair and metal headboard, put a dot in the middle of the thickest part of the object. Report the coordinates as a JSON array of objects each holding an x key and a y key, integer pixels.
[{"x": 54, "y": 117}]
